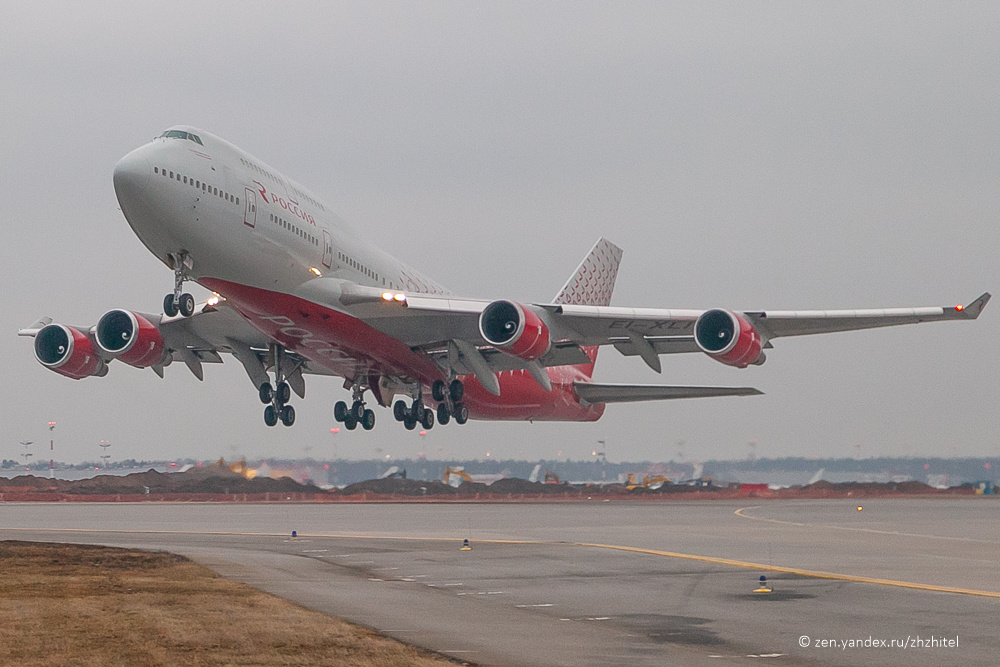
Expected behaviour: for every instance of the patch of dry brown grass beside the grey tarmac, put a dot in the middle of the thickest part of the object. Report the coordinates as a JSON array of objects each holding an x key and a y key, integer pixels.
[{"x": 88, "y": 605}]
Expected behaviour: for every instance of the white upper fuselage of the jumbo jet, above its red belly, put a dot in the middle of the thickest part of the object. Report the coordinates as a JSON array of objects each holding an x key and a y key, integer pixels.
[{"x": 239, "y": 220}]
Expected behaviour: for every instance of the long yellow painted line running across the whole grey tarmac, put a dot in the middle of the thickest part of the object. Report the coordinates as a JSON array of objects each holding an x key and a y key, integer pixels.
[{"x": 814, "y": 574}]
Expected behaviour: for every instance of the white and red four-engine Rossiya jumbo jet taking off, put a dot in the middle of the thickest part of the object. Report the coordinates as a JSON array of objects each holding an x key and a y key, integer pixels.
[{"x": 297, "y": 292}]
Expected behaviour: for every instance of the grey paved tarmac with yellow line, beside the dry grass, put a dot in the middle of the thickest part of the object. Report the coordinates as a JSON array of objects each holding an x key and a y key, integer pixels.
[{"x": 601, "y": 583}]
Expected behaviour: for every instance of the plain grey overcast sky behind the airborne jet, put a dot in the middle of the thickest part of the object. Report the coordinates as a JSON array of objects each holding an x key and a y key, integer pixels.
[{"x": 744, "y": 155}]
